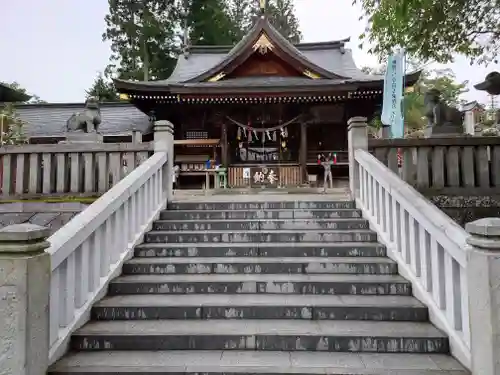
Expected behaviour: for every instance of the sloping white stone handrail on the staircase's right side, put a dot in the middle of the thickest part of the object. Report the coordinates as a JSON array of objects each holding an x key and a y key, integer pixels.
[{"x": 435, "y": 221}]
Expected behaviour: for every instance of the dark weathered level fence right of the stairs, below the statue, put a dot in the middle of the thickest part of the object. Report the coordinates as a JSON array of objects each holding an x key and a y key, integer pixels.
[{"x": 452, "y": 166}]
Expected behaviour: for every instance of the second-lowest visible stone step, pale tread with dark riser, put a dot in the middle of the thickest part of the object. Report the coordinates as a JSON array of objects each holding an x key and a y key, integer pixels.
[{"x": 293, "y": 335}]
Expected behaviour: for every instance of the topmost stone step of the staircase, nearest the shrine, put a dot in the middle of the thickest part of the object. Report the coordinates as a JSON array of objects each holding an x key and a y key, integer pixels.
[{"x": 254, "y": 205}]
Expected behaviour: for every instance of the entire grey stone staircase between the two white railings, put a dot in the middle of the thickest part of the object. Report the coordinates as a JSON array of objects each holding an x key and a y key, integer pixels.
[{"x": 275, "y": 287}]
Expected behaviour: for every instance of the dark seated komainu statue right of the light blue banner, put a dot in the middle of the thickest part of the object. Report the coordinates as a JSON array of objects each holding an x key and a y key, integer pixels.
[{"x": 441, "y": 118}]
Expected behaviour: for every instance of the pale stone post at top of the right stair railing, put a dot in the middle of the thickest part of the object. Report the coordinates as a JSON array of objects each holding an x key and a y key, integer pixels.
[{"x": 357, "y": 135}]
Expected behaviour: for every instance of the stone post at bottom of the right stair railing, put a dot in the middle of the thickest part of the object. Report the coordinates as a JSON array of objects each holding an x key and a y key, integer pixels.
[{"x": 483, "y": 274}]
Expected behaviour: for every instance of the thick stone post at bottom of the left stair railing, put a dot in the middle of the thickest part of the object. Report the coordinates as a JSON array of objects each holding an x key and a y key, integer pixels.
[{"x": 24, "y": 299}]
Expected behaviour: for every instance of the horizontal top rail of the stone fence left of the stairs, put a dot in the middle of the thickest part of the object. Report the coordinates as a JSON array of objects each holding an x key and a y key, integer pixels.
[{"x": 75, "y": 148}]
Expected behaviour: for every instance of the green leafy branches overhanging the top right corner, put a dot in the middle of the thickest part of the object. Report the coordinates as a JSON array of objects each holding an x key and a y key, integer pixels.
[{"x": 434, "y": 30}]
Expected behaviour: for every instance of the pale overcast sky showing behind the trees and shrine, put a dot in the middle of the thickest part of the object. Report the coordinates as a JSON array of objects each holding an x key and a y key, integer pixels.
[{"x": 54, "y": 47}]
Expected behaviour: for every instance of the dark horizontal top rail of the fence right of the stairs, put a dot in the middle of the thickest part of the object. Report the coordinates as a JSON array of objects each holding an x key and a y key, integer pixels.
[{"x": 434, "y": 141}]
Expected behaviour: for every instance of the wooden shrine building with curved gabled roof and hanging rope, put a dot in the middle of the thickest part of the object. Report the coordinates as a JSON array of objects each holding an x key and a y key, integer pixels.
[{"x": 262, "y": 104}]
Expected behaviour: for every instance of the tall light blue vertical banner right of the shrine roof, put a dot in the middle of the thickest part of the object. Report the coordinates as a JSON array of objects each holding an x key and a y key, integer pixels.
[{"x": 392, "y": 107}]
